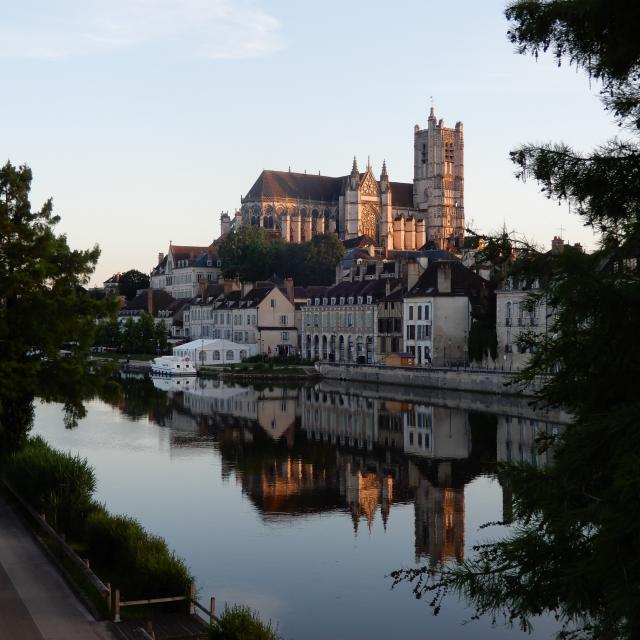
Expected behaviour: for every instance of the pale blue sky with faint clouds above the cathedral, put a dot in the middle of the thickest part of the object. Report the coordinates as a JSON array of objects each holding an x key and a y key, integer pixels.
[{"x": 145, "y": 118}]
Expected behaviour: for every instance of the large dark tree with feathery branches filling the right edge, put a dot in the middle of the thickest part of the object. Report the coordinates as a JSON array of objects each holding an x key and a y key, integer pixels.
[{"x": 575, "y": 549}]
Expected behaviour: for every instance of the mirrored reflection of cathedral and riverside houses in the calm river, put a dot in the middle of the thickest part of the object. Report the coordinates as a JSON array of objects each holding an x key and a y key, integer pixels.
[{"x": 312, "y": 450}]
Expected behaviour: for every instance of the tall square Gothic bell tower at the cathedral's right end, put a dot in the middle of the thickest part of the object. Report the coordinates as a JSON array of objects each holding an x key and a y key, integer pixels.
[{"x": 438, "y": 181}]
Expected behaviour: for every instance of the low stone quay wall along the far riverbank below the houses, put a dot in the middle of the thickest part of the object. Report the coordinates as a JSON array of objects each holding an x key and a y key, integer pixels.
[{"x": 477, "y": 380}]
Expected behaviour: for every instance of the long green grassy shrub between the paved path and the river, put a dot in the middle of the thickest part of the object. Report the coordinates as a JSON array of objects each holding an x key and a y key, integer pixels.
[{"x": 61, "y": 486}]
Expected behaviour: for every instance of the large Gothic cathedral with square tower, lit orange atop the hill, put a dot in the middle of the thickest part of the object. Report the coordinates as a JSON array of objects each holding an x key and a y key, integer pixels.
[{"x": 397, "y": 216}]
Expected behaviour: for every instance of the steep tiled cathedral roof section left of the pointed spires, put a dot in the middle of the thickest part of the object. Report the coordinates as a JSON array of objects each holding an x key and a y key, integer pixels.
[{"x": 303, "y": 186}]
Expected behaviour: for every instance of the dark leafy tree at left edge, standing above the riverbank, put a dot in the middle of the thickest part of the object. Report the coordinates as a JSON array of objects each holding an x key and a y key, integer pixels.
[{"x": 43, "y": 304}]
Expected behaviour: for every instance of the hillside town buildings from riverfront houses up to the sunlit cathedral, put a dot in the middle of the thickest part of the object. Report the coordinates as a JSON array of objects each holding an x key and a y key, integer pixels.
[{"x": 408, "y": 290}]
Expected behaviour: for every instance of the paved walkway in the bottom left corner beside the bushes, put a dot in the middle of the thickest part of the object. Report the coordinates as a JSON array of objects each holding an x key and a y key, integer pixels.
[{"x": 35, "y": 602}]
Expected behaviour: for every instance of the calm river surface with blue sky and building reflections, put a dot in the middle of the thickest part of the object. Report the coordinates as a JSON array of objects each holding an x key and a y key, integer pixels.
[{"x": 300, "y": 501}]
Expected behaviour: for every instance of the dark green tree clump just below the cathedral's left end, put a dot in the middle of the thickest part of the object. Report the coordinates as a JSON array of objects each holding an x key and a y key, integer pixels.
[{"x": 251, "y": 255}]
